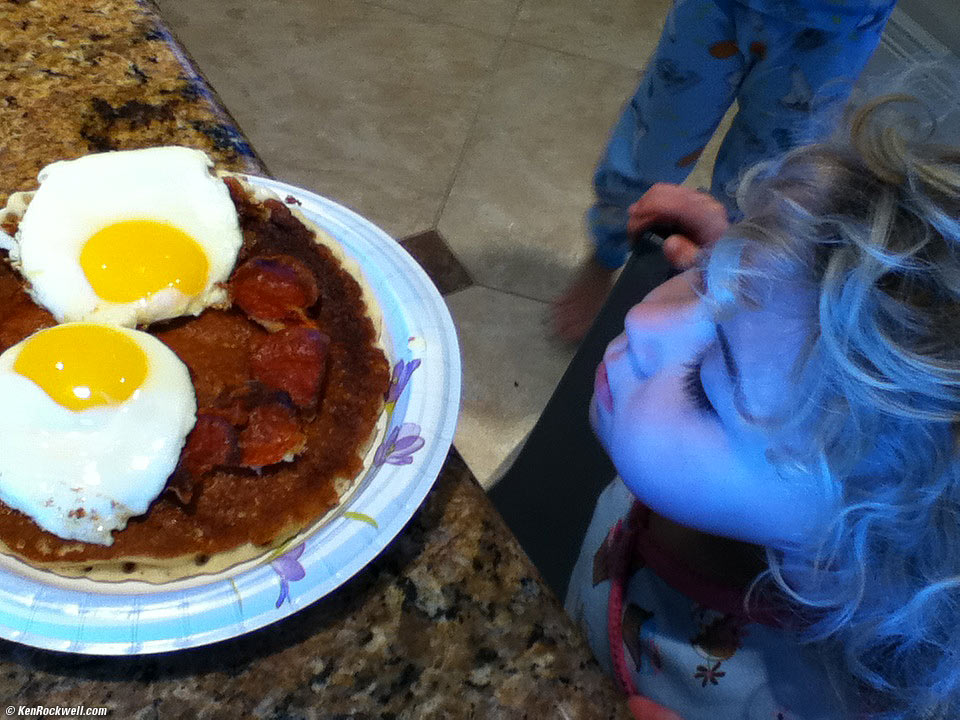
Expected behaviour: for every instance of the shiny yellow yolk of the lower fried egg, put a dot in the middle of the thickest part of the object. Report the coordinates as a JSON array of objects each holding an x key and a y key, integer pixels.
[{"x": 81, "y": 365}]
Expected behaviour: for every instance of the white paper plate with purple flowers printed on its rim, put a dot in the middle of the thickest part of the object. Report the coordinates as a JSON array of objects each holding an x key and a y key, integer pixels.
[{"x": 82, "y": 616}]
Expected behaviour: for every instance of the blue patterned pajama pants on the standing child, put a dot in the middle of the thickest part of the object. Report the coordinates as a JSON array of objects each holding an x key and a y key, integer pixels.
[{"x": 787, "y": 77}]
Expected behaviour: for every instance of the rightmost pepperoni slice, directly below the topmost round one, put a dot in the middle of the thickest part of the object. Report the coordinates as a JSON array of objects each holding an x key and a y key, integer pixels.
[{"x": 292, "y": 360}]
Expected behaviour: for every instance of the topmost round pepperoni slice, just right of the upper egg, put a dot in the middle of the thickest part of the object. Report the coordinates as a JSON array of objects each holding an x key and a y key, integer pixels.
[{"x": 273, "y": 288}]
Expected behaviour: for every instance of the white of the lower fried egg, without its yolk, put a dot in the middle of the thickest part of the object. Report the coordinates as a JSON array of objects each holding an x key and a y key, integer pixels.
[{"x": 109, "y": 460}]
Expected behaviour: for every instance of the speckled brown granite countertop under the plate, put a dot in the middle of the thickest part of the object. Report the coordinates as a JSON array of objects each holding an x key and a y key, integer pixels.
[{"x": 451, "y": 620}]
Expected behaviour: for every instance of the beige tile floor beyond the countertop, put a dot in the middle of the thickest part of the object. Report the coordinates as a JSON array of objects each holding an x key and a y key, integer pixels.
[{"x": 482, "y": 119}]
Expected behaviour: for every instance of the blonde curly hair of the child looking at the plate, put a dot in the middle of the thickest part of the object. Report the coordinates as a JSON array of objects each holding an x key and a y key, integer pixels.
[{"x": 870, "y": 223}]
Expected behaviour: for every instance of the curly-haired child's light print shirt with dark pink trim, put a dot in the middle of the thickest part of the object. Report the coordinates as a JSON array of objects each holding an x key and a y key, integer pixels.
[{"x": 683, "y": 641}]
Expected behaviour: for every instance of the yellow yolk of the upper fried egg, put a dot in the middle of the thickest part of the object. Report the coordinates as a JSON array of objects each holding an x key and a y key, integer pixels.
[{"x": 133, "y": 259}]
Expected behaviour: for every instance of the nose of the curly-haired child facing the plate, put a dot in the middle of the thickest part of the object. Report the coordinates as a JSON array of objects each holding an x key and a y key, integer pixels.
[{"x": 667, "y": 333}]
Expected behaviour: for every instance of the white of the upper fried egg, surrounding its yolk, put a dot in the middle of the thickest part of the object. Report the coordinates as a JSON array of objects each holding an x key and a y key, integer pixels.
[{"x": 77, "y": 198}]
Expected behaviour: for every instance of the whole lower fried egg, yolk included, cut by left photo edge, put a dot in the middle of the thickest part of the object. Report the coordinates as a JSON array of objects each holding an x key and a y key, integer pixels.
[{"x": 92, "y": 423}]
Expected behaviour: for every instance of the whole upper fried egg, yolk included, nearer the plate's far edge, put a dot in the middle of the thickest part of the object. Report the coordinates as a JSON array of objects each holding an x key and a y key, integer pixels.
[{"x": 128, "y": 237}]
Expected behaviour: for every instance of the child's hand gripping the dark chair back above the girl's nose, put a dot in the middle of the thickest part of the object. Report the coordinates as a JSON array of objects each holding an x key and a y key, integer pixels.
[{"x": 698, "y": 218}]
